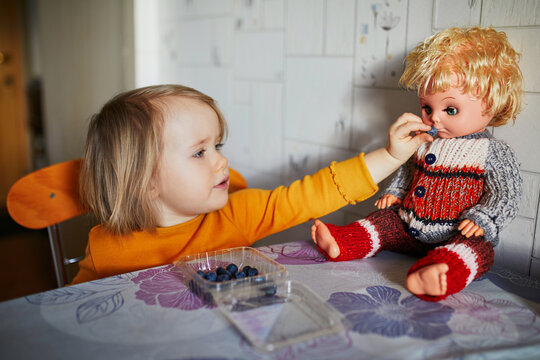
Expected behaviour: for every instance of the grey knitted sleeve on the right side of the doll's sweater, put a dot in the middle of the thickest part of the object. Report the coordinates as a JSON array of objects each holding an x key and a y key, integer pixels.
[{"x": 502, "y": 192}]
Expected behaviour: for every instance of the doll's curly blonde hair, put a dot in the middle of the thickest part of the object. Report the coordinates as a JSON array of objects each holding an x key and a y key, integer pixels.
[{"x": 484, "y": 62}]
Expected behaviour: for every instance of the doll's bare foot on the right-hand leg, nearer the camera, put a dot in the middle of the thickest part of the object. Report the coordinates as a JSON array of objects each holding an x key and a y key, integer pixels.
[{"x": 429, "y": 280}]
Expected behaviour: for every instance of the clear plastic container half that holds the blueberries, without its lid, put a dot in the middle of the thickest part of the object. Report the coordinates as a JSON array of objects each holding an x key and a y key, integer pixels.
[{"x": 269, "y": 271}]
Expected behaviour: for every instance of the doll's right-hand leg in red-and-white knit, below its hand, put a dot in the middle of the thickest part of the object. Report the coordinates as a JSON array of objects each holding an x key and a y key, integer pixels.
[{"x": 448, "y": 269}]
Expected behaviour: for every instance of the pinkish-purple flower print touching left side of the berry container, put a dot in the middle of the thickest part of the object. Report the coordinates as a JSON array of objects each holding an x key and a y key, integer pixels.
[{"x": 164, "y": 287}]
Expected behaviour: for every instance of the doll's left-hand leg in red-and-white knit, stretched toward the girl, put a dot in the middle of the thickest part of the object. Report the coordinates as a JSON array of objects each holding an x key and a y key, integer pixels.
[{"x": 381, "y": 230}]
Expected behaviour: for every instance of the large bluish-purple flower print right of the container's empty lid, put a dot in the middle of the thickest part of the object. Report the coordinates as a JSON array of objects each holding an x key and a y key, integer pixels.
[{"x": 382, "y": 312}]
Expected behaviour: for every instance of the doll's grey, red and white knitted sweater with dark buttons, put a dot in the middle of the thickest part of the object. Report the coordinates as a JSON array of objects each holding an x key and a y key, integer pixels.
[{"x": 472, "y": 177}]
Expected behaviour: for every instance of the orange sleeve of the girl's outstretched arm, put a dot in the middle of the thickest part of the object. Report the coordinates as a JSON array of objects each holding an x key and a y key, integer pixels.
[{"x": 260, "y": 213}]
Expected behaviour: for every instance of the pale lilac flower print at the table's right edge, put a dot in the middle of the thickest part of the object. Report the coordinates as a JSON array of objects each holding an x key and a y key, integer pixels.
[{"x": 492, "y": 321}]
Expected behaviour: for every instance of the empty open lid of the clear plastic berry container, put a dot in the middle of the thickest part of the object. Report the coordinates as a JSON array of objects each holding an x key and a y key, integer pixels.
[{"x": 274, "y": 315}]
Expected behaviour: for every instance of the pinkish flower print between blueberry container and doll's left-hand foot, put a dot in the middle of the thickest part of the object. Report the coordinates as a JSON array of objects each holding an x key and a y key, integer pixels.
[{"x": 295, "y": 253}]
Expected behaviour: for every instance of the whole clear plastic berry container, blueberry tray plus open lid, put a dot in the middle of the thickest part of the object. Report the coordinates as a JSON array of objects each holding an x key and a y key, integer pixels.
[{"x": 268, "y": 309}]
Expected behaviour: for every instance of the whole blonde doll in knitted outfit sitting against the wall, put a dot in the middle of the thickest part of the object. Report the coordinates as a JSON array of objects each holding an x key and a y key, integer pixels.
[{"x": 449, "y": 202}]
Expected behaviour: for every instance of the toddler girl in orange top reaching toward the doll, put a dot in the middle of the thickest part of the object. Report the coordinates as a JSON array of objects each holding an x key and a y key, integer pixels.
[{"x": 154, "y": 175}]
